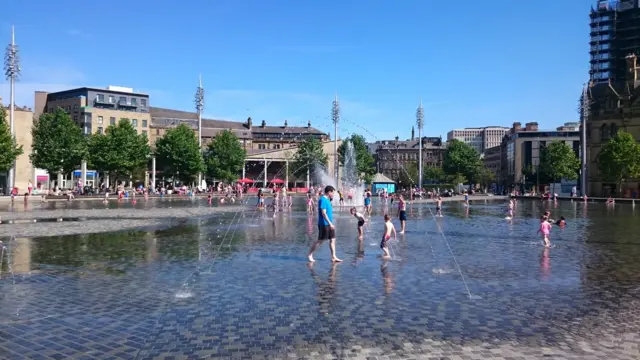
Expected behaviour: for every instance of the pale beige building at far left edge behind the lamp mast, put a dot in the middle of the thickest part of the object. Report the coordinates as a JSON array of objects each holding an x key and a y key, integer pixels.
[{"x": 23, "y": 122}]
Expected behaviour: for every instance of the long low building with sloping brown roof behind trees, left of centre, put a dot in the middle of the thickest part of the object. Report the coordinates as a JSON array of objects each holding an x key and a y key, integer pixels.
[{"x": 259, "y": 138}]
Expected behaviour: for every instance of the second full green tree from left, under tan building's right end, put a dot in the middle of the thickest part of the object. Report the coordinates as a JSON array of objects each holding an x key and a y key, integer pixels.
[{"x": 120, "y": 151}]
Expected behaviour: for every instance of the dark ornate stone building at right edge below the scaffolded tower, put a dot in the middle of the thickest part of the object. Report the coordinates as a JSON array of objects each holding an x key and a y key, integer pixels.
[{"x": 613, "y": 106}]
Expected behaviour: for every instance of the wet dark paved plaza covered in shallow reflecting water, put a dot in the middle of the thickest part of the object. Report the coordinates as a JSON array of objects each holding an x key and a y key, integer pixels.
[{"x": 470, "y": 285}]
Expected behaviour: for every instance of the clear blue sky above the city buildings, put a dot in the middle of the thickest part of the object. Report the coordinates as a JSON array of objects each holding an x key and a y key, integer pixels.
[{"x": 473, "y": 63}]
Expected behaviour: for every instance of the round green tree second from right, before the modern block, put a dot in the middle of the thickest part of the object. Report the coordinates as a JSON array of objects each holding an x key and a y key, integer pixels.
[{"x": 558, "y": 161}]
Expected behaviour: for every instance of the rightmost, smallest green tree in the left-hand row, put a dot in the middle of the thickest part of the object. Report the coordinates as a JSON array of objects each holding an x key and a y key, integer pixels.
[{"x": 224, "y": 157}]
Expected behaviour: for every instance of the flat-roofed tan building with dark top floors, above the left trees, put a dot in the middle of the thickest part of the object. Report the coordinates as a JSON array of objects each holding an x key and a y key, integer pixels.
[{"x": 94, "y": 109}]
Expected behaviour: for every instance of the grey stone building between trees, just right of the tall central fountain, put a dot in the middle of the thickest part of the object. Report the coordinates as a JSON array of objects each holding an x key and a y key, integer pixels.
[{"x": 393, "y": 157}]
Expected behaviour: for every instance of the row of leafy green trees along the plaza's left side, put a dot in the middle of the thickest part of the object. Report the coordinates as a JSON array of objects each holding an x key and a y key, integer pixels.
[{"x": 59, "y": 146}]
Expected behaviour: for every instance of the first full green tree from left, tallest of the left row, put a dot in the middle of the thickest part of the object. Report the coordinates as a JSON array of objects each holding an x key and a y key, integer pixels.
[{"x": 59, "y": 145}]
